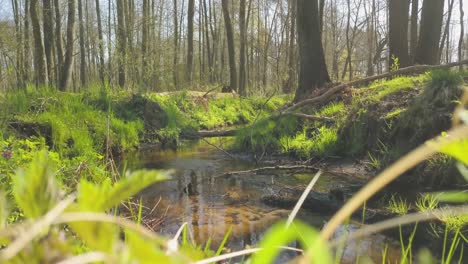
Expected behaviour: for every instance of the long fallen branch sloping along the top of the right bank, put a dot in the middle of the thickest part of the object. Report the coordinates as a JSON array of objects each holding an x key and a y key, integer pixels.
[{"x": 403, "y": 71}]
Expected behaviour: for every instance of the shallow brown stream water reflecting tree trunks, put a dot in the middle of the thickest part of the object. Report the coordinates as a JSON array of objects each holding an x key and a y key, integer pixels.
[{"x": 211, "y": 205}]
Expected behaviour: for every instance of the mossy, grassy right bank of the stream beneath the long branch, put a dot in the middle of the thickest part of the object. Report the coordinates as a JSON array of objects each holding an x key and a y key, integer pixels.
[{"x": 379, "y": 122}]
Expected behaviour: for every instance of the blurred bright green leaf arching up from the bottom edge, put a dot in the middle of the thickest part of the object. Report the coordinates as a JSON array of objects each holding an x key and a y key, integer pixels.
[{"x": 316, "y": 249}]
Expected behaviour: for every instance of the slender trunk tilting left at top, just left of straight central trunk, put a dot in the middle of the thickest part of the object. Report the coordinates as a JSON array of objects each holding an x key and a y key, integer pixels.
[{"x": 230, "y": 43}]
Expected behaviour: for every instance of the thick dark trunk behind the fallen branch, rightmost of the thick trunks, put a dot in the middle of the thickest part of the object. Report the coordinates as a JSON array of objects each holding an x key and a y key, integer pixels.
[{"x": 429, "y": 33}]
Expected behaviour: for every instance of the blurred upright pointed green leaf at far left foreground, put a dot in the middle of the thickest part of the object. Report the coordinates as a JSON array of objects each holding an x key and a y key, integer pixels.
[{"x": 35, "y": 190}]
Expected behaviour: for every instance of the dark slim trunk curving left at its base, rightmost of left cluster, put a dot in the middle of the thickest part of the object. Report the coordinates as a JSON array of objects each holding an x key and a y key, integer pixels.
[{"x": 66, "y": 72}]
